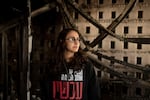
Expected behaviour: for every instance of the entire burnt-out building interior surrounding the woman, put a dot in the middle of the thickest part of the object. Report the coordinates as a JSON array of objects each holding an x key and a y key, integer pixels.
[{"x": 115, "y": 36}]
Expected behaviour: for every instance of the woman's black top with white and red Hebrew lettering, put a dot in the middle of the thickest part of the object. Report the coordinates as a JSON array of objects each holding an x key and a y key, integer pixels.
[{"x": 72, "y": 85}]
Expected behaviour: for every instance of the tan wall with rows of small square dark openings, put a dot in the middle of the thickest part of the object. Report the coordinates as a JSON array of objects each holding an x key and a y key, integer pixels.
[{"x": 119, "y": 55}]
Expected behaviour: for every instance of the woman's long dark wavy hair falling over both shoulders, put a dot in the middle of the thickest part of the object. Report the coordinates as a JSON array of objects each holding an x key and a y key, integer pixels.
[{"x": 57, "y": 61}]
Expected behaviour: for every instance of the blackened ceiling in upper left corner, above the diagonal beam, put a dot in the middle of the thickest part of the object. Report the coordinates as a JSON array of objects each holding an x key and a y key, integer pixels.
[{"x": 10, "y": 9}]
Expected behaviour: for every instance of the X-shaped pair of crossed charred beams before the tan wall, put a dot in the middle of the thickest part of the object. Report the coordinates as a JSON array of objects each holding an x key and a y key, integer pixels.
[{"x": 110, "y": 28}]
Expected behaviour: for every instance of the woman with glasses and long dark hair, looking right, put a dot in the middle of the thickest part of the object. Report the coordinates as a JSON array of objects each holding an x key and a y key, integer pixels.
[{"x": 70, "y": 75}]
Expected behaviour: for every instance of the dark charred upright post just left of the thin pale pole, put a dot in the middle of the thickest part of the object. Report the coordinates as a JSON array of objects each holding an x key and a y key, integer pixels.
[{"x": 22, "y": 63}]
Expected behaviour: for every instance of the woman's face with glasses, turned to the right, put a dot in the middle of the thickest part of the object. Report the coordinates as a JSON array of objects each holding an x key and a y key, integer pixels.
[{"x": 72, "y": 42}]
